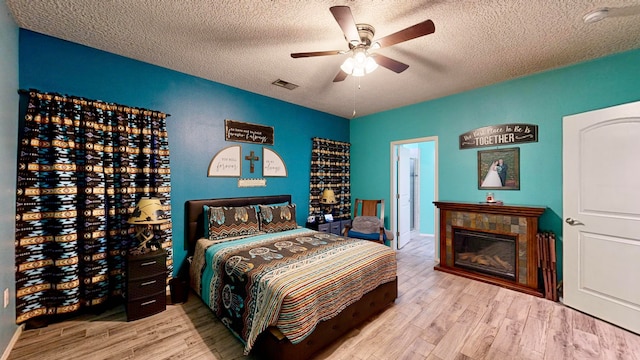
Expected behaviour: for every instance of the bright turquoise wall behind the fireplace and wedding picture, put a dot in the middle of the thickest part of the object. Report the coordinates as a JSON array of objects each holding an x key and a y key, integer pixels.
[{"x": 541, "y": 99}]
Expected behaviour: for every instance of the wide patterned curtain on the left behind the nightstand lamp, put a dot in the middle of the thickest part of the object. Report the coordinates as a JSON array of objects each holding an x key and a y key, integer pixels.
[{"x": 82, "y": 167}]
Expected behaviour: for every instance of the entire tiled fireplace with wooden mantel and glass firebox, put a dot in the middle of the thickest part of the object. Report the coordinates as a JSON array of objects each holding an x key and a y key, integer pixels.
[{"x": 491, "y": 243}]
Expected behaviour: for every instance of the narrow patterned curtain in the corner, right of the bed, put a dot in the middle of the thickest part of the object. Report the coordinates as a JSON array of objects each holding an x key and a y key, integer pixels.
[{"x": 331, "y": 169}]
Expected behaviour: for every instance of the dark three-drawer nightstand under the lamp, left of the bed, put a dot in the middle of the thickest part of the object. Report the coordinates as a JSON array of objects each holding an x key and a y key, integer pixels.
[{"x": 146, "y": 284}]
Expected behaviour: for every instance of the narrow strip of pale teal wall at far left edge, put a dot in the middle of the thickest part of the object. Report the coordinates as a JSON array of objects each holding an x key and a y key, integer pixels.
[{"x": 8, "y": 159}]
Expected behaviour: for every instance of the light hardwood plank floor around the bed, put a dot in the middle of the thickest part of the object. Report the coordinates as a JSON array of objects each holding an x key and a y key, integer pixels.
[{"x": 436, "y": 316}]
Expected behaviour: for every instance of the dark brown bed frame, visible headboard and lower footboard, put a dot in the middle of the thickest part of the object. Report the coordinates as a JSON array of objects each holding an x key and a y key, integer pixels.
[{"x": 271, "y": 344}]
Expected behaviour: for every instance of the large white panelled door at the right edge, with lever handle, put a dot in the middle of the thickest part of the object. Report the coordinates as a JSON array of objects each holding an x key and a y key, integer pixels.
[{"x": 601, "y": 210}]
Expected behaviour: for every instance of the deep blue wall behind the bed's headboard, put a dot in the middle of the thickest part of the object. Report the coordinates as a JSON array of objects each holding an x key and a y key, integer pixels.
[{"x": 198, "y": 109}]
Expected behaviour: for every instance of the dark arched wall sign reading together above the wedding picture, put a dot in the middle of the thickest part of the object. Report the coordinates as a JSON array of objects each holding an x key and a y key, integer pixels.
[{"x": 497, "y": 135}]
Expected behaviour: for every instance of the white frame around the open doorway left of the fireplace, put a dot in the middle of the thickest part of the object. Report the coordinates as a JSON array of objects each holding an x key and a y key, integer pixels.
[{"x": 393, "y": 218}]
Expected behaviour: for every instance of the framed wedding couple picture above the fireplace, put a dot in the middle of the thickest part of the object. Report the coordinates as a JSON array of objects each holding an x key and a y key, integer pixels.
[{"x": 499, "y": 169}]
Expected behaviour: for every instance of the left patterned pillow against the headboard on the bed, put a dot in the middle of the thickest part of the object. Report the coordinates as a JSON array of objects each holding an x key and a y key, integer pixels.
[{"x": 224, "y": 222}]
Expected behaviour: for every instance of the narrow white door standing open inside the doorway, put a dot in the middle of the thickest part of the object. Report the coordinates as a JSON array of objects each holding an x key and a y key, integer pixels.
[{"x": 403, "y": 197}]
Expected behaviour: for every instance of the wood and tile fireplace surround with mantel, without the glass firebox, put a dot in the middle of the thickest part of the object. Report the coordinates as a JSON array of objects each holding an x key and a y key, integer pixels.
[{"x": 520, "y": 221}]
